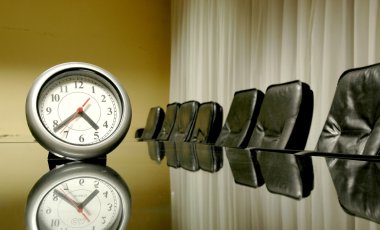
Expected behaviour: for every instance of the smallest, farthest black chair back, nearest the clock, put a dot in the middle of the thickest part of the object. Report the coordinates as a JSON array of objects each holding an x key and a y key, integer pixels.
[{"x": 153, "y": 124}]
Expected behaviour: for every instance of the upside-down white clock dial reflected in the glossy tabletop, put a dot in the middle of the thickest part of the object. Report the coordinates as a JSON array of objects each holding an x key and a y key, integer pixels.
[{"x": 80, "y": 203}]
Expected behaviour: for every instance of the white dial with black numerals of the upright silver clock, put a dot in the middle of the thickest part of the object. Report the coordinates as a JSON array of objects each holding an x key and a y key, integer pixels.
[{"x": 79, "y": 108}]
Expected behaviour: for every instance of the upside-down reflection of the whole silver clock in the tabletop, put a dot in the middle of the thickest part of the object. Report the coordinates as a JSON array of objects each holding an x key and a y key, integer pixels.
[{"x": 78, "y": 194}]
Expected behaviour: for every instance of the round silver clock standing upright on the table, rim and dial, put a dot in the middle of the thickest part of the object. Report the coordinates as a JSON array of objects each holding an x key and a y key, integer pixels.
[{"x": 78, "y": 111}]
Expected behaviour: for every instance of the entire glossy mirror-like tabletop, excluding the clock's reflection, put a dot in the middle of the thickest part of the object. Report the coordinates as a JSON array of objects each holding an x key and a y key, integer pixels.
[{"x": 185, "y": 186}]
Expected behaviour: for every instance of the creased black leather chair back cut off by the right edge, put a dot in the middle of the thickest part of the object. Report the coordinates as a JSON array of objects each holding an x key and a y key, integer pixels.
[{"x": 353, "y": 124}]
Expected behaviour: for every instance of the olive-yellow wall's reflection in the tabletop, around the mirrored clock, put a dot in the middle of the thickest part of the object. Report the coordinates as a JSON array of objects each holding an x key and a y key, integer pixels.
[{"x": 24, "y": 162}]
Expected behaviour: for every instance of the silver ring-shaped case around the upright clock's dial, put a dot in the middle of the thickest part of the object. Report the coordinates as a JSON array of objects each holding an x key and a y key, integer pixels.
[{"x": 70, "y": 150}]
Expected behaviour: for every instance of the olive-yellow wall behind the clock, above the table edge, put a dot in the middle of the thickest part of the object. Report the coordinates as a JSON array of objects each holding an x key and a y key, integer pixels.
[{"x": 129, "y": 38}]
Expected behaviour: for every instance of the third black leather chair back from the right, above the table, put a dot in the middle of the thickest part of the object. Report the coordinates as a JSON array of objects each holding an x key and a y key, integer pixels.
[{"x": 241, "y": 118}]
